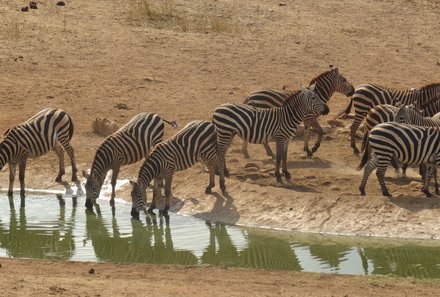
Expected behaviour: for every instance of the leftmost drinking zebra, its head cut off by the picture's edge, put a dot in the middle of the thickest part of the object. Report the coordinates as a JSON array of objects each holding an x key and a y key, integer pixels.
[{"x": 50, "y": 129}]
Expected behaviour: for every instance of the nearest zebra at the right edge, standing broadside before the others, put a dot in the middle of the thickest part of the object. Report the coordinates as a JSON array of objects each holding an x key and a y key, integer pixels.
[{"x": 405, "y": 143}]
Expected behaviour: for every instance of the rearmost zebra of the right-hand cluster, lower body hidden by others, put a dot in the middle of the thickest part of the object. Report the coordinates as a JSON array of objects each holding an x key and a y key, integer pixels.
[{"x": 367, "y": 96}]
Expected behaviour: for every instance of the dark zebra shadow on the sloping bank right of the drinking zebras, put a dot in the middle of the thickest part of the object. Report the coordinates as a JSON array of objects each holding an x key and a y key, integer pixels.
[{"x": 224, "y": 210}]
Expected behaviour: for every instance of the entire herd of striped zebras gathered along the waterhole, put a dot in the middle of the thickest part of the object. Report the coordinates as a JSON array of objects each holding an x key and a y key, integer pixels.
[{"x": 402, "y": 126}]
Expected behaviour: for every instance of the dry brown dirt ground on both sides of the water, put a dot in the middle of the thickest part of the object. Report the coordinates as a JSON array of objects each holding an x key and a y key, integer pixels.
[{"x": 181, "y": 59}]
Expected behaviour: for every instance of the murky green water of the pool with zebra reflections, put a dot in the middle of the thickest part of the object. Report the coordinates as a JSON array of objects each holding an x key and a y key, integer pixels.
[{"x": 53, "y": 227}]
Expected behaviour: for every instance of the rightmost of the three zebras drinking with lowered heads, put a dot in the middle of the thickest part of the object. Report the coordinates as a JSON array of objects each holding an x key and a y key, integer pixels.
[{"x": 196, "y": 141}]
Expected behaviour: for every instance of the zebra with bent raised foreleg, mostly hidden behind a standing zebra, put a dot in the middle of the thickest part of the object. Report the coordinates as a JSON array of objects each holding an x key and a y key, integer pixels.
[{"x": 327, "y": 83}]
